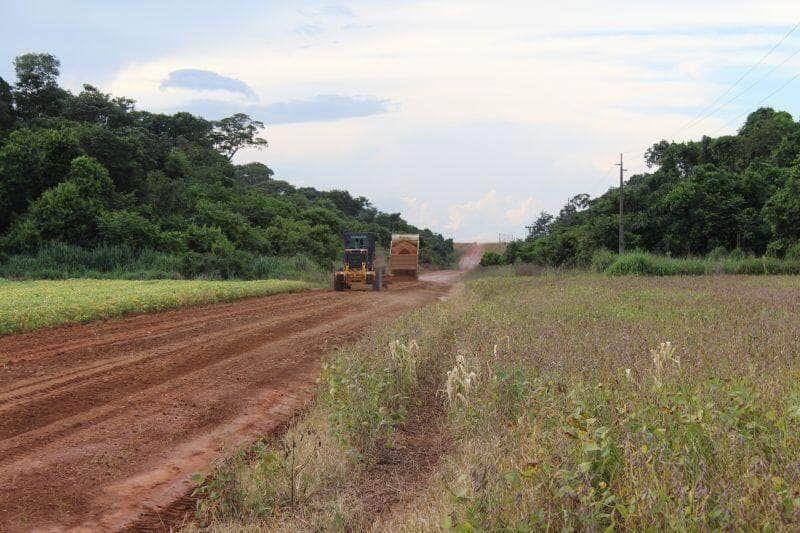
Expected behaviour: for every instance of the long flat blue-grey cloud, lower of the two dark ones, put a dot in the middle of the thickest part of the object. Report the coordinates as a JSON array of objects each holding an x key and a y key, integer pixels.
[{"x": 320, "y": 108}]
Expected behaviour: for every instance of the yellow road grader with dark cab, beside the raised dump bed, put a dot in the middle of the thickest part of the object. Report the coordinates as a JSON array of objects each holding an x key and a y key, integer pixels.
[{"x": 359, "y": 271}]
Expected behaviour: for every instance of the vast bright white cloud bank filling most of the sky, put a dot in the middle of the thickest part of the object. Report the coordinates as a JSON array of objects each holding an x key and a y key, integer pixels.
[{"x": 530, "y": 101}]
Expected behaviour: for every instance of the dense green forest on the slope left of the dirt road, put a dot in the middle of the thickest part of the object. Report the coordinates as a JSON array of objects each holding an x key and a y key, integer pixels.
[{"x": 90, "y": 178}]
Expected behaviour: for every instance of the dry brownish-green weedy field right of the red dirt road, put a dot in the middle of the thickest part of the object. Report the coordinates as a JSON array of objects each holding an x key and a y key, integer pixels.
[{"x": 571, "y": 402}]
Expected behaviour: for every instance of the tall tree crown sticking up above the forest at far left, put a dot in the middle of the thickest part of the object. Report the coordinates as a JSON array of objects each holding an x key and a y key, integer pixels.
[{"x": 36, "y": 92}]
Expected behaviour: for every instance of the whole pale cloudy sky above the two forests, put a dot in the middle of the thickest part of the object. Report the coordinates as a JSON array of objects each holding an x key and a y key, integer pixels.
[{"x": 467, "y": 117}]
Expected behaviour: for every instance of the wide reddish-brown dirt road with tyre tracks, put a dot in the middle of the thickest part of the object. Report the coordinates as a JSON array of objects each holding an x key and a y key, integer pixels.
[{"x": 102, "y": 424}]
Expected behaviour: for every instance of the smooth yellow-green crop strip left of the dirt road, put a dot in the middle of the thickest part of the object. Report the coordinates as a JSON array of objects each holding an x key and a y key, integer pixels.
[{"x": 30, "y": 305}]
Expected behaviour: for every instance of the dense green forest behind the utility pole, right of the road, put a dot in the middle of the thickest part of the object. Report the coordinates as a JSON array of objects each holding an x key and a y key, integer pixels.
[{"x": 736, "y": 193}]
